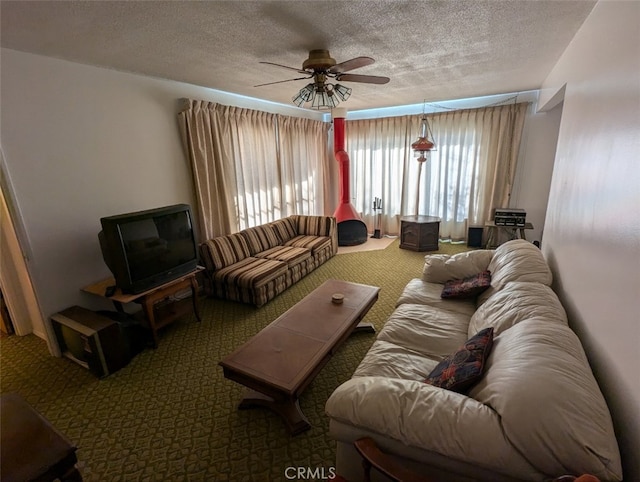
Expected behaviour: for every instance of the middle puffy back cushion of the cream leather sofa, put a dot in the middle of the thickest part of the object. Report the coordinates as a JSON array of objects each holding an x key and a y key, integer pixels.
[{"x": 515, "y": 302}]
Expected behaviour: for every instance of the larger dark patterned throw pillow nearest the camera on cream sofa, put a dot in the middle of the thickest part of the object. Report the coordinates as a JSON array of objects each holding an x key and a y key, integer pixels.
[{"x": 461, "y": 370}]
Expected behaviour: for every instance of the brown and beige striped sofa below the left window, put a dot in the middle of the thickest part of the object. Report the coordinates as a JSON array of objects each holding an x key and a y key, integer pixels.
[{"x": 257, "y": 264}]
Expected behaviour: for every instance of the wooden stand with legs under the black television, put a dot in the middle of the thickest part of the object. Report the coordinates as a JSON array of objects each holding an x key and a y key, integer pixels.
[{"x": 159, "y": 305}]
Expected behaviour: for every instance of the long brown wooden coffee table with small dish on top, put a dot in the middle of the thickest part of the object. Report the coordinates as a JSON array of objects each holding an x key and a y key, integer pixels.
[{"x": 279, "y": 362}]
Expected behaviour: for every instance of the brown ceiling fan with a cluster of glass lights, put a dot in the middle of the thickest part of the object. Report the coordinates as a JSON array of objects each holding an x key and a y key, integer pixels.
[{"x": 321, "y": 67}]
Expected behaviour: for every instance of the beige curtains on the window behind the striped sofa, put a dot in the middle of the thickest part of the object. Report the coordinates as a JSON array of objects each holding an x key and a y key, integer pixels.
[{"x": 252, "y": 167}]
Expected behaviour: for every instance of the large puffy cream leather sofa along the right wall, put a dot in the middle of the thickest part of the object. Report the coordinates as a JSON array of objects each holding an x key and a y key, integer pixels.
[{"x": 536, "y": 413}]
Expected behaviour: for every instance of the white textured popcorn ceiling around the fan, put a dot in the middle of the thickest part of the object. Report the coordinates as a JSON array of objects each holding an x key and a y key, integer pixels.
[{"x": 431, "y": 50}]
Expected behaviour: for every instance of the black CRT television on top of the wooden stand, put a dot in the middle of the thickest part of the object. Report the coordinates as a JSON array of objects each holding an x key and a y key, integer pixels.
[{"x": 145, "y": 249}]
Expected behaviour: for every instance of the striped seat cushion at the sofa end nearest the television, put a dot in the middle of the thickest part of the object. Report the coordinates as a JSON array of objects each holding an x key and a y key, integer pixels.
[{"x": 251, "y": 272}]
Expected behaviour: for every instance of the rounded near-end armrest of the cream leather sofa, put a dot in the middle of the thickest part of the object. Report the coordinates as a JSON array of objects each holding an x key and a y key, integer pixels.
[{"x": 426, "y": 417}]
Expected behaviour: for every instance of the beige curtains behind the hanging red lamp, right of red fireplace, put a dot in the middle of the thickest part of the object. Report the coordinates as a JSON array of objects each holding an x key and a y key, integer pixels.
[{"x": 469, "y": 174}]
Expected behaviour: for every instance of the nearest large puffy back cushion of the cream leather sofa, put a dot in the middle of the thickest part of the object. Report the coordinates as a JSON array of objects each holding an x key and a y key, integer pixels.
[{"x": 539, "y": 382}]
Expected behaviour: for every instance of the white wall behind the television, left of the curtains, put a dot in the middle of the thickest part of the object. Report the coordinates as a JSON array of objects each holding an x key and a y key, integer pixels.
[{"x": 81, "y": 142}]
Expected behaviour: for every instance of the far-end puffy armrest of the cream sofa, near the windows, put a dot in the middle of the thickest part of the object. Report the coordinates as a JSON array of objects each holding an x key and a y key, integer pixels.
[{"x": 440, "y": 268}]
